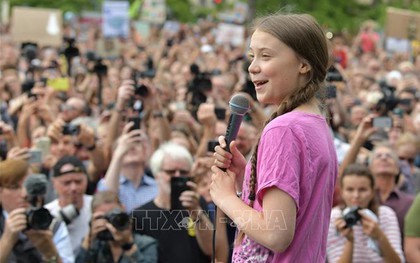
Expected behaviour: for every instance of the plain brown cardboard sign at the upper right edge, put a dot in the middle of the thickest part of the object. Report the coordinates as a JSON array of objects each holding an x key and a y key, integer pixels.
[{"x": 402, "y": 24}]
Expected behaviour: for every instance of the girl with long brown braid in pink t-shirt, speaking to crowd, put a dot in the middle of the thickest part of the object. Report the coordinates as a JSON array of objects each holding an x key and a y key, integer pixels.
[{"x": 283, "y": 209}]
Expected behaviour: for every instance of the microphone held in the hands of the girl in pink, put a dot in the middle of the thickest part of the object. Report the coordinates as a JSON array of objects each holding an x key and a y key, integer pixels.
[{"x": 239, "y": 106}]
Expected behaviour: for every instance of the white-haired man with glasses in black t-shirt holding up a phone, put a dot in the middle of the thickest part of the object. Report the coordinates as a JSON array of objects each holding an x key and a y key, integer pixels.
[{"x": 185, "y": 234}]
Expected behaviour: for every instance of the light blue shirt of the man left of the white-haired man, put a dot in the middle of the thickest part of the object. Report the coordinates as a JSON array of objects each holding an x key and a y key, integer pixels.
[{"x": 130, "y": 195}]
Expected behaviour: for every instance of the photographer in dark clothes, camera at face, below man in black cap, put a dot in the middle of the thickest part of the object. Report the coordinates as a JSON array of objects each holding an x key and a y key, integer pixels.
[{"x": 110, "y": 238}]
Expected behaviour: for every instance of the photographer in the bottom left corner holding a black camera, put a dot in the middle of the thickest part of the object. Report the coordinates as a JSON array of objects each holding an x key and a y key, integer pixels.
[{"x": 26, "y": 235}]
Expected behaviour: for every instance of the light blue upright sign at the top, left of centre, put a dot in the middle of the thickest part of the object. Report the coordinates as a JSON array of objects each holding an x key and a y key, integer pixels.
[{"x": 115, "y": 21}]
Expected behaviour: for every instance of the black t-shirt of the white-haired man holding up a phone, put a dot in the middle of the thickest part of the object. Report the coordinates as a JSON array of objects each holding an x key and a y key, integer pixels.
[{"x": 175, "y": 242}]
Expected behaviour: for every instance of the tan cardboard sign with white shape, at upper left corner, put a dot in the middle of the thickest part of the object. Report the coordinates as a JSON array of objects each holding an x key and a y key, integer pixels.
[{"x": 38, "y": 25}]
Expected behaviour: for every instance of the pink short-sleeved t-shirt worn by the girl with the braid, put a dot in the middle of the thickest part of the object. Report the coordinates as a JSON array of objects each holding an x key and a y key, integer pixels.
[{"x": 296, "y": 154}]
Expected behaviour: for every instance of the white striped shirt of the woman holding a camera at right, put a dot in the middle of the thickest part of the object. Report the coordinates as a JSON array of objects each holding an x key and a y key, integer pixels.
[{"x": 362, "y": 252}]
